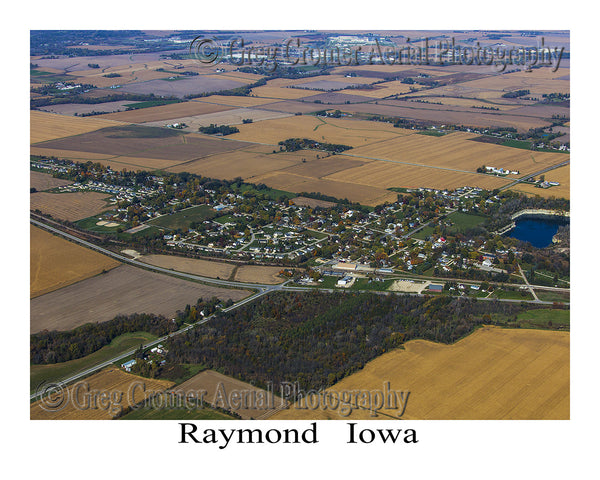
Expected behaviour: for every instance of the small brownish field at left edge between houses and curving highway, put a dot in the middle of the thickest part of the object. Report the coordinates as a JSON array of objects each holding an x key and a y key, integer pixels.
[{"x": 69, "y": 206}]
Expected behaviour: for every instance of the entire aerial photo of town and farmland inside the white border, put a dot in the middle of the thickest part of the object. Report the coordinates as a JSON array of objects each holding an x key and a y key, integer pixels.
[{"x": 299, "y": 225}]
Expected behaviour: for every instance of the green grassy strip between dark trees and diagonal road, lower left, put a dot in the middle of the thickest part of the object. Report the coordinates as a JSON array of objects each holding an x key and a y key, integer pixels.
[{"x": 59, "y": 371}]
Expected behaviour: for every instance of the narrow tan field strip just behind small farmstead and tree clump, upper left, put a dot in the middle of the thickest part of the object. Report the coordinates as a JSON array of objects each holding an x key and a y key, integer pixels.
[{"x": 164, "y": 112}]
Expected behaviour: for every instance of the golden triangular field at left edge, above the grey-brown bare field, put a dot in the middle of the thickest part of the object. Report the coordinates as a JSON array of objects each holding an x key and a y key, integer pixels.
[{"x": 56, "y": 263}]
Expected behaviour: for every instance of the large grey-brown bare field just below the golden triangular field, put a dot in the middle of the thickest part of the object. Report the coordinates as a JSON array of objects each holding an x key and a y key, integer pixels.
[{"x": 123, "y": 290}]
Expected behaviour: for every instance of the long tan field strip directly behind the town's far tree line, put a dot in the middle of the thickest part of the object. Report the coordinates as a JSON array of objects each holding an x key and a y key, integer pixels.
[{"x": 364, "y": 194}]
